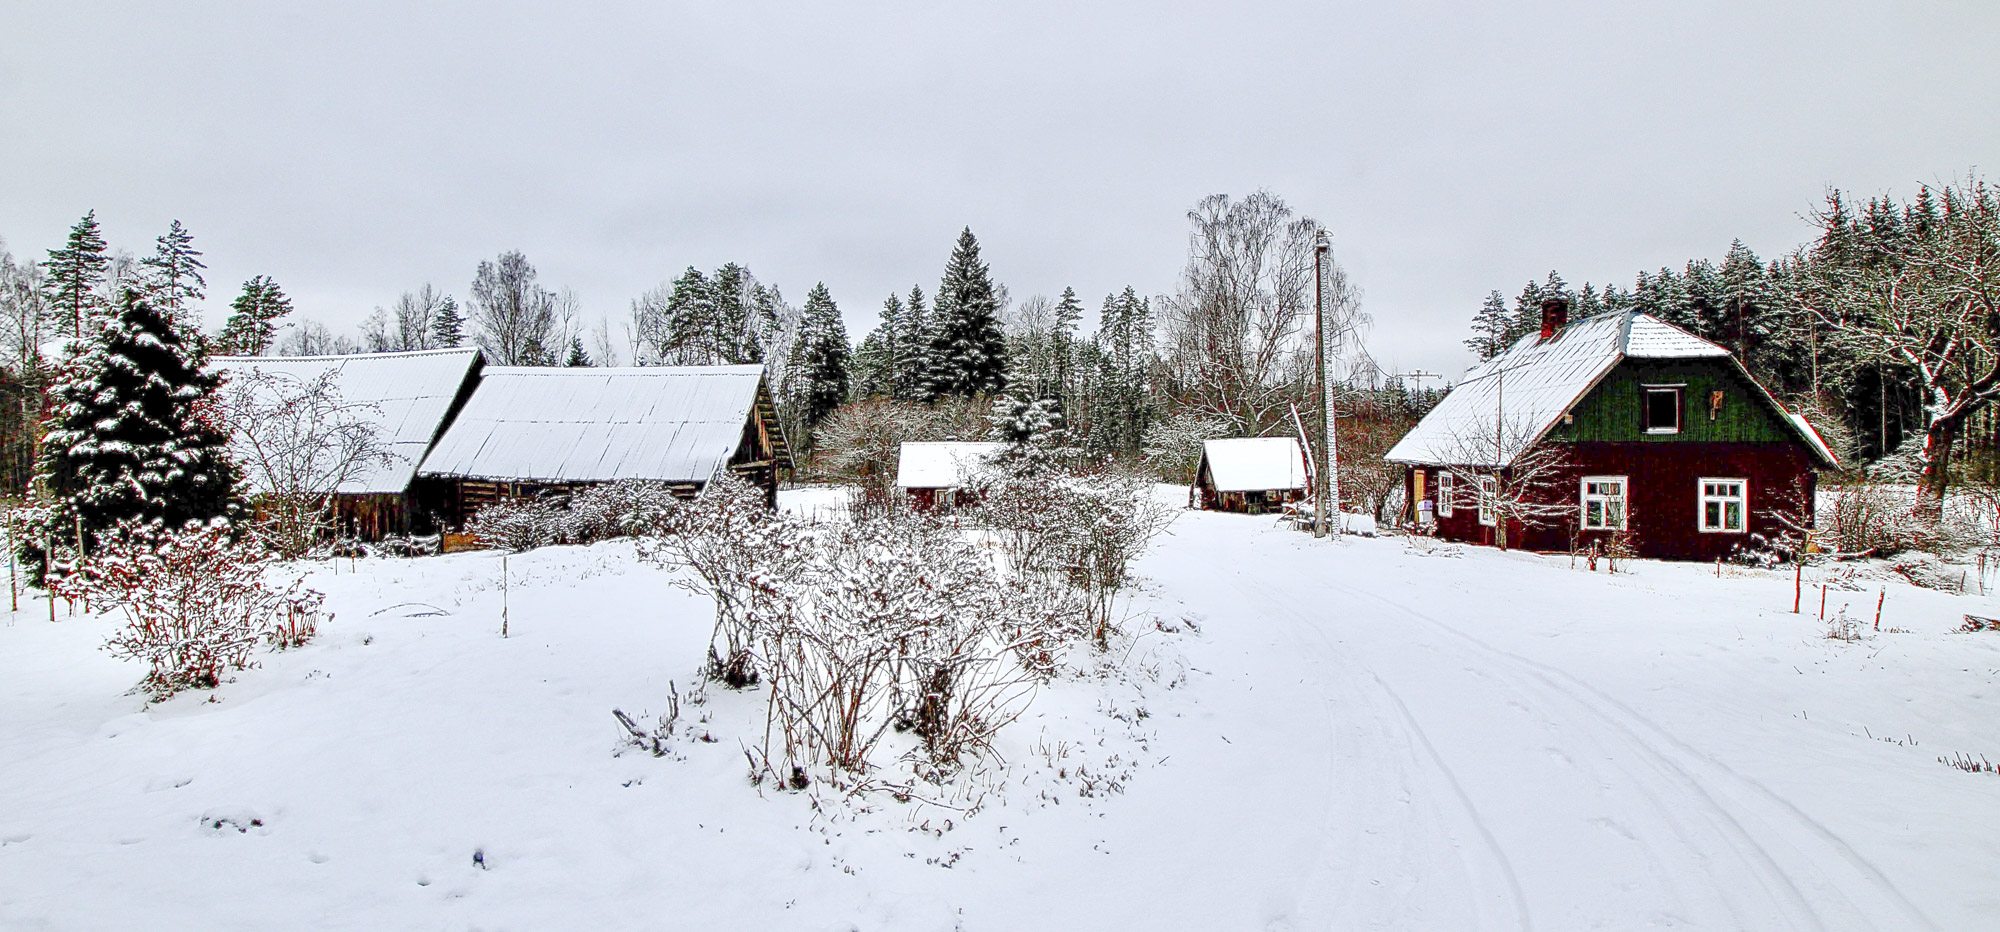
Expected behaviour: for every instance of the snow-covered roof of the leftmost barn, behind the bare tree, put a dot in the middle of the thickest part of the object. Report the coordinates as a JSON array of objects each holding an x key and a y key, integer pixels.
[{"x": 407, "y": 395}]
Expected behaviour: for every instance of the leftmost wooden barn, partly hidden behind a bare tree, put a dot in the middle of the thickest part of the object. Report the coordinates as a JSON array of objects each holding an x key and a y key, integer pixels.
[{"x": 407, "y": 397}]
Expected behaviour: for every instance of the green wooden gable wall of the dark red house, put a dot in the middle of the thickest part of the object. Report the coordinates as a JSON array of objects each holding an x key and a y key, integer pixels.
[{"x": 1613, "y": 409}]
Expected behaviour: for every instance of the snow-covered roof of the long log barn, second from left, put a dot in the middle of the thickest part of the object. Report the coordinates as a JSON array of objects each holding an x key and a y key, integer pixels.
[{"x": 599, "y": 425}]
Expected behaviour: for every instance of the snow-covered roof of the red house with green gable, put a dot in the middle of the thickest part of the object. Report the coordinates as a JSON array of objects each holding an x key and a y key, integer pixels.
[{"x": 1535, "y": 383}]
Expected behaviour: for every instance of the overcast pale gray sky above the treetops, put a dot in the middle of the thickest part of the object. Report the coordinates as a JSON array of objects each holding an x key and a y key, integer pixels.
[{"x": 361, "y": 149}]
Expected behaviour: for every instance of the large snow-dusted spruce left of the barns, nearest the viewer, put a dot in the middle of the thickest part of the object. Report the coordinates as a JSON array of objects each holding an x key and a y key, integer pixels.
[{"x": 133, "y": 435}]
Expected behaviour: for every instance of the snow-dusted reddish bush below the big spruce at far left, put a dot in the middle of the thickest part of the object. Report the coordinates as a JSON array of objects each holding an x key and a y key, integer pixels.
[{"x": 195, "y": 601}]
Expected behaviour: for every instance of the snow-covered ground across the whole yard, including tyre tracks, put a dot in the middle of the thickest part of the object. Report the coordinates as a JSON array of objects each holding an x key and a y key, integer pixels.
[{"x": 1329, "y": 735}]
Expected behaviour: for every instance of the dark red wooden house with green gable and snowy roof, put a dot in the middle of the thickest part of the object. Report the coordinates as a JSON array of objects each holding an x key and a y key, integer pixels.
[{"x": 1637, "y": 429}]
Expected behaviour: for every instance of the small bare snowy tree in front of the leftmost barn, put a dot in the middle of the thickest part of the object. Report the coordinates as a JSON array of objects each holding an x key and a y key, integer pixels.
[{"x": 299, "y": 441}]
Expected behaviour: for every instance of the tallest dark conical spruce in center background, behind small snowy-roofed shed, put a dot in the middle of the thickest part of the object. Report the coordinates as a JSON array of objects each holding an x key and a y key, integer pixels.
[{"x": 967, "y": 343}]
